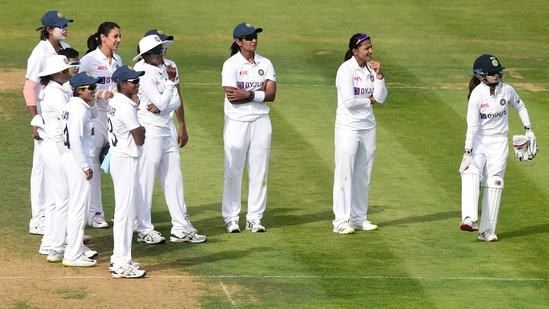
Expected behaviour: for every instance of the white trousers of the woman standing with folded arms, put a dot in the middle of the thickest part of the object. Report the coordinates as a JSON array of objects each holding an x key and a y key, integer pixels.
[{"x": 251, "y": 141}]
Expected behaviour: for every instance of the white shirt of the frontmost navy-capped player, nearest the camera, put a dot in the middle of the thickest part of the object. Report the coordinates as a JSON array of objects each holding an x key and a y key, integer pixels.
[{"x": 122, "y": 119}]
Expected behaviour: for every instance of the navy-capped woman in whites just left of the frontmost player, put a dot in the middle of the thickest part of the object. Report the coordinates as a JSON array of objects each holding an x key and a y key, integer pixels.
[{"x": 76, "y": 167}]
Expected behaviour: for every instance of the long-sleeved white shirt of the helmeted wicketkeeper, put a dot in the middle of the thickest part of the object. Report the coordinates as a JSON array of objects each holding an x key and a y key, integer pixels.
[{"x": 487, "y": 115}]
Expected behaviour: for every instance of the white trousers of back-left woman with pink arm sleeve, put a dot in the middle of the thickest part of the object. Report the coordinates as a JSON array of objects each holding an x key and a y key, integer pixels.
[{"x": 37, "y": 190}]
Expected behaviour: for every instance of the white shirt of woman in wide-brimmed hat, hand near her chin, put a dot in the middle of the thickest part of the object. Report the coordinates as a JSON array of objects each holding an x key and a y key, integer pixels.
[{"x": 155, "y": 88}]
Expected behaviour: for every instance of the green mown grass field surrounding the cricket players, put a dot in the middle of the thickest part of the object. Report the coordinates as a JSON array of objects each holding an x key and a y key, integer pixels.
[{"x": 418, "y": 258}]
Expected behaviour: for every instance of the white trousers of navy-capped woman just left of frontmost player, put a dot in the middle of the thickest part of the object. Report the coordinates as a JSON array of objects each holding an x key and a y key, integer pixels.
[{"x": 77, "y": 190}]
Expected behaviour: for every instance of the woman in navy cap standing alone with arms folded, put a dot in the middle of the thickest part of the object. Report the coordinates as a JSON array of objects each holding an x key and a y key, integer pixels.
[{"x": 249, "y": 81}]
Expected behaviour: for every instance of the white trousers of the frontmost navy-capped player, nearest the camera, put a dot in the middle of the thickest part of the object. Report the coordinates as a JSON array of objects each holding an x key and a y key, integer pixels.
[{"x": 125, "y": 175}]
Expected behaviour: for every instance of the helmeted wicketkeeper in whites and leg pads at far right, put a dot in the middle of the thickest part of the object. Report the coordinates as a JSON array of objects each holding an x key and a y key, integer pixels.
[{"x": 486, "y": 145}]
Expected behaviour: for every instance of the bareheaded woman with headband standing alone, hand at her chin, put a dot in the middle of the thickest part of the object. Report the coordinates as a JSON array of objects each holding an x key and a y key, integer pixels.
[{"x": 360, "y": 84}]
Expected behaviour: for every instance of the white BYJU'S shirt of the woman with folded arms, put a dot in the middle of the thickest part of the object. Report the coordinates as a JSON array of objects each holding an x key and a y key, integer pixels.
[{"x": 239, "y": 73}]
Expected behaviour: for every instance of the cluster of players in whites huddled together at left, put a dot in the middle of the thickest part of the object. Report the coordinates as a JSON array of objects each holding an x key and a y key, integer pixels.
[{"x": 96, "y": 110}]
